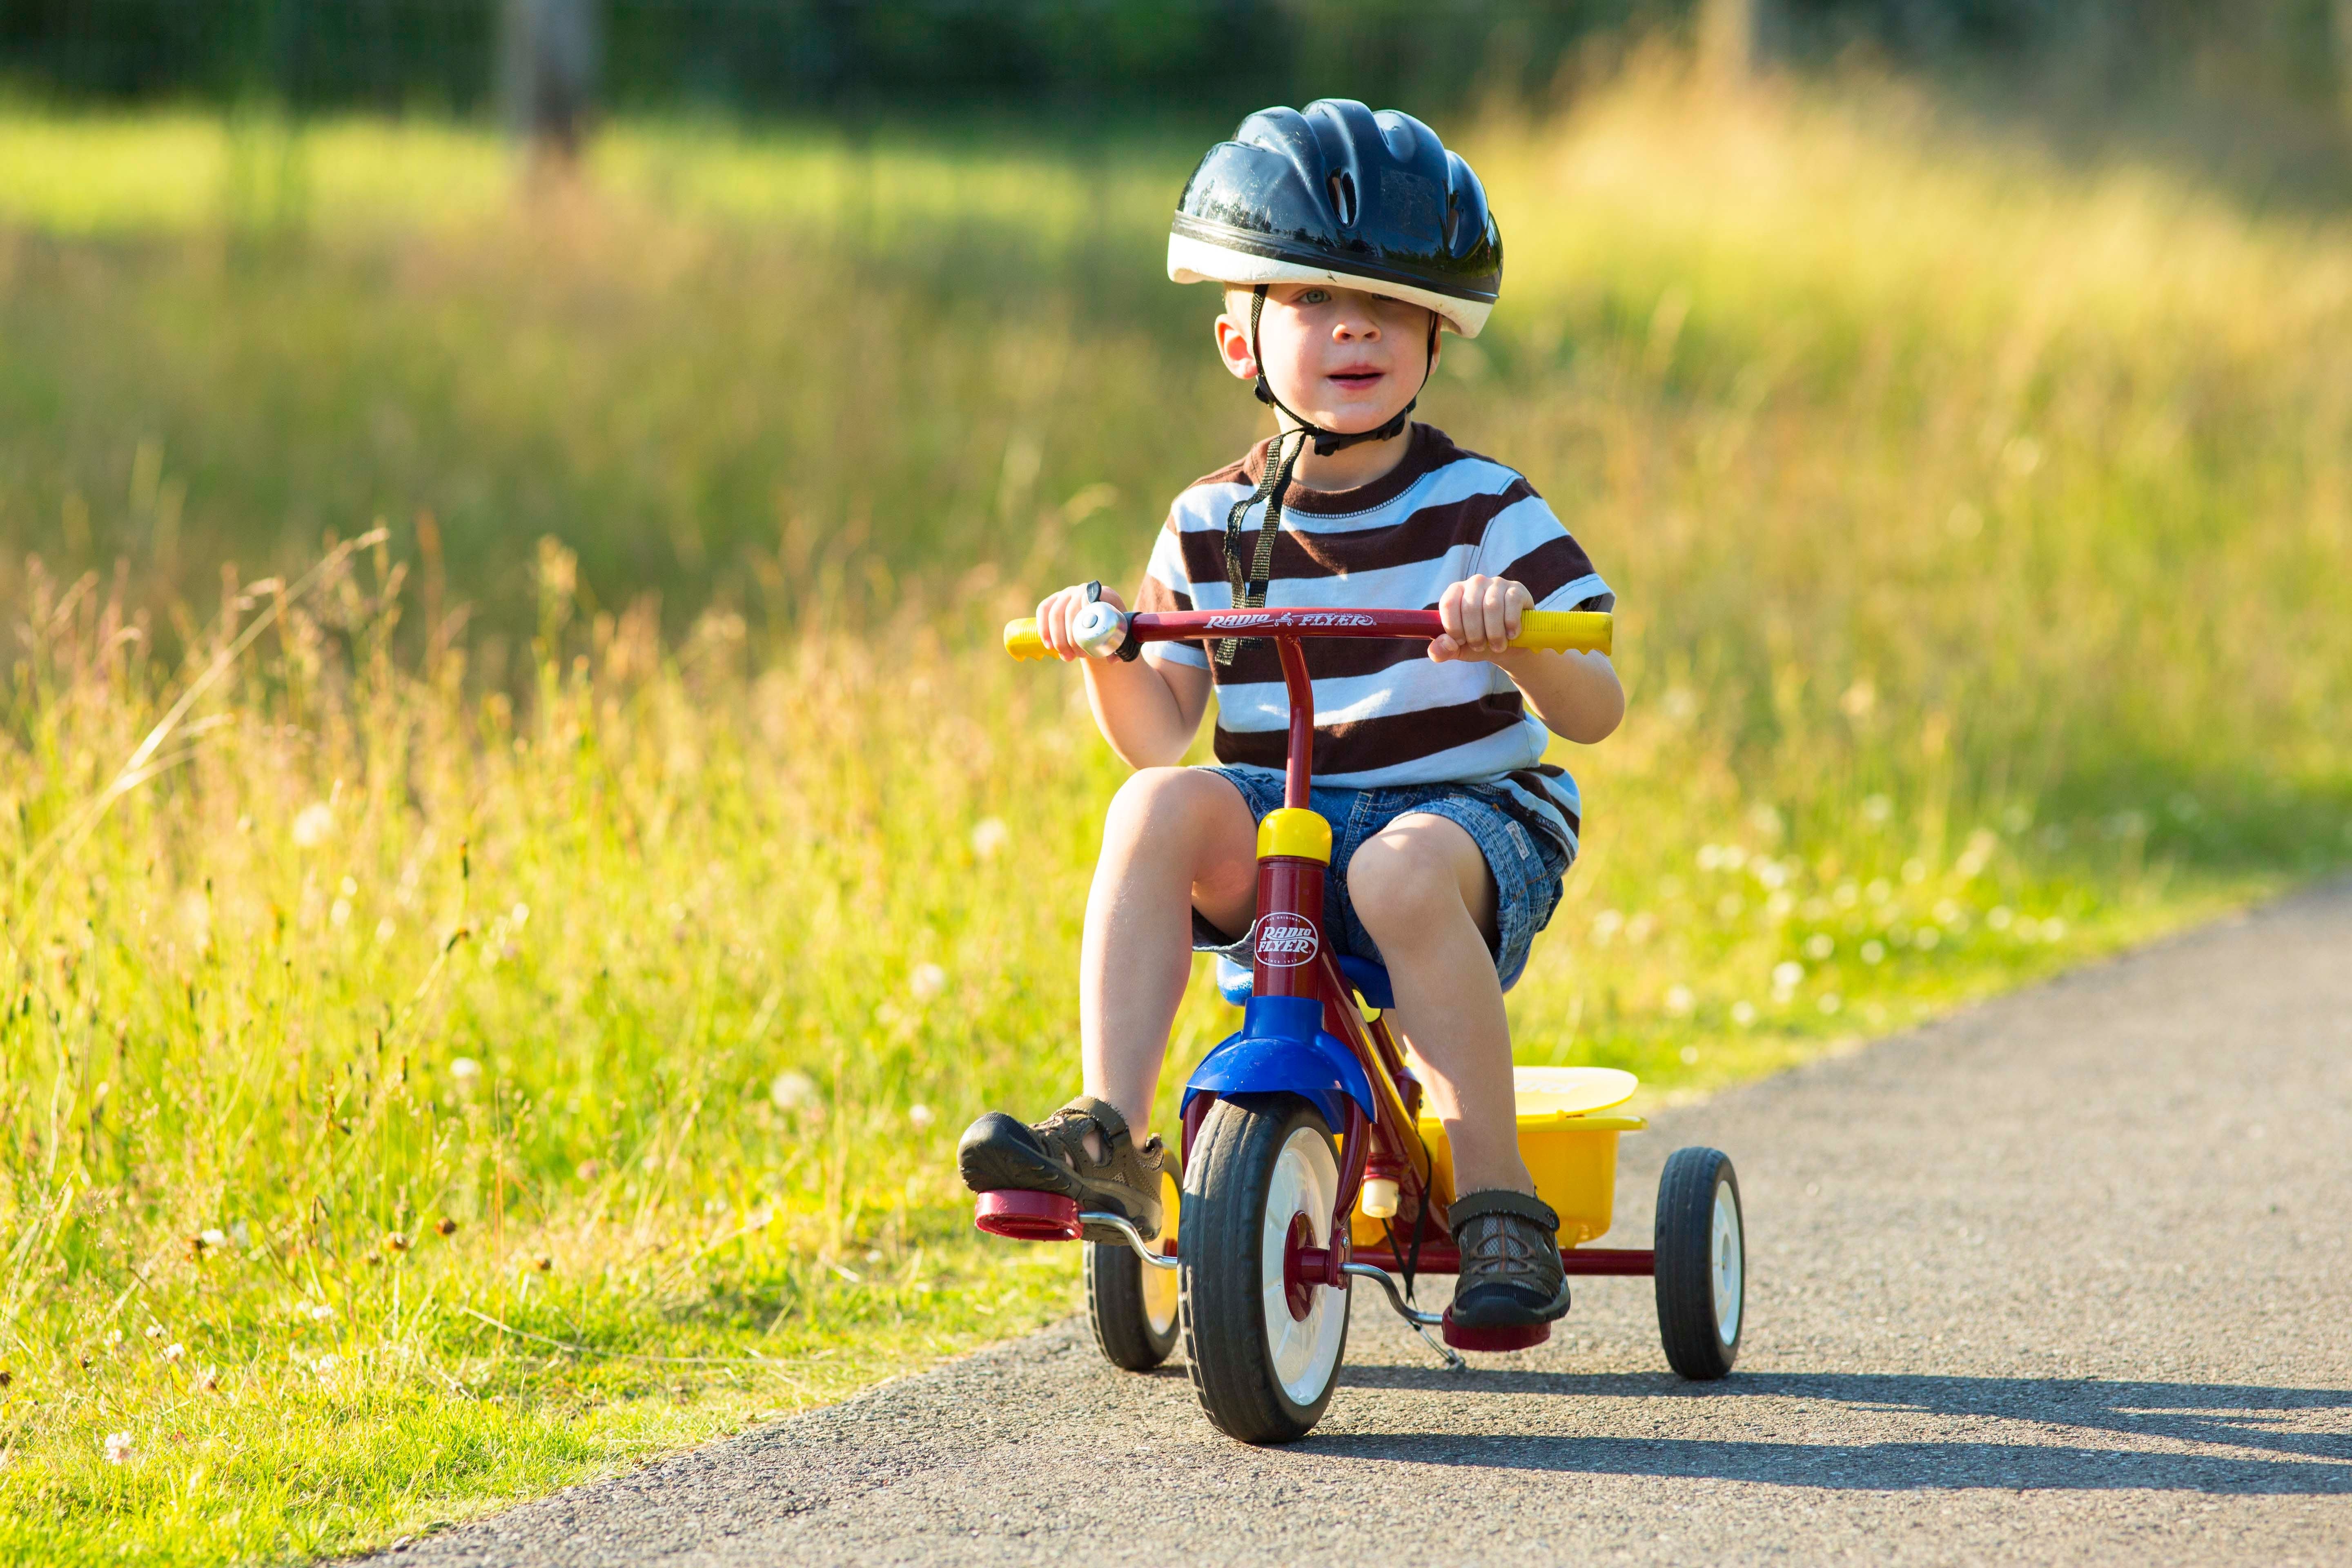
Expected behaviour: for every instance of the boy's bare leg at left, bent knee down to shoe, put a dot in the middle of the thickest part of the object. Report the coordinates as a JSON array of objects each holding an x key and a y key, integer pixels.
[{"x": 1175, "y": 840}]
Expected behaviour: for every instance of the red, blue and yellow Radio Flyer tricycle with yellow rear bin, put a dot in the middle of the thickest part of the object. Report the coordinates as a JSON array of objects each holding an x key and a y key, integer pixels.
[{"x": 1309, "y": 1162}]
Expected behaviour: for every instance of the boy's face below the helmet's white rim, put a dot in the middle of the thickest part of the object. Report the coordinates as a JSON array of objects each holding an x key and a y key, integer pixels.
[{"x": 1342, "y": 359}]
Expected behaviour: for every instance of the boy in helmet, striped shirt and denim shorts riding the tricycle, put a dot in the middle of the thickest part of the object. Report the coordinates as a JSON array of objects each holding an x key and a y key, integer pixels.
[{"x": 1347, "y": 243}]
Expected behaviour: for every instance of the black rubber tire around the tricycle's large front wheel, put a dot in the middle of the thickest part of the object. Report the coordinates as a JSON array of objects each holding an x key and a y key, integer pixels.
[{"x": 1224, "y": 1304}]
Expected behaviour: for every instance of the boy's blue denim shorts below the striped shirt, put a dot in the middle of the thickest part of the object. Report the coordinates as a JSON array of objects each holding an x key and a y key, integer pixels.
[{"x": 1528, "y": 866}]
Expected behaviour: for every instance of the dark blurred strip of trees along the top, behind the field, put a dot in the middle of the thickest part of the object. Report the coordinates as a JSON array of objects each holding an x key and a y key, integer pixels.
[{"x": 763, "y": 58}]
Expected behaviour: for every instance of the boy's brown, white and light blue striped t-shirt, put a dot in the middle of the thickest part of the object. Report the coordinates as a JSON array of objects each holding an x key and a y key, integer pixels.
[{"x": 1384, "y": 713}]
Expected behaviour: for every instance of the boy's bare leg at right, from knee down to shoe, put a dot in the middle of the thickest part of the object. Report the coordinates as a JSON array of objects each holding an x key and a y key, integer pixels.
[{"x": 1426, "y": 897}]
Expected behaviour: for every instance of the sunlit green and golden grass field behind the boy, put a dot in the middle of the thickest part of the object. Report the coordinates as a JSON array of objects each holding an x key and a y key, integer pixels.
[{"x": 493, "y": 1003}]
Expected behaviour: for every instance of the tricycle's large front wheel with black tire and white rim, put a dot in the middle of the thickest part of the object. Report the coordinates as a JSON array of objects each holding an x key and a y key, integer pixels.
[{"x": 1264, "y": 1346}]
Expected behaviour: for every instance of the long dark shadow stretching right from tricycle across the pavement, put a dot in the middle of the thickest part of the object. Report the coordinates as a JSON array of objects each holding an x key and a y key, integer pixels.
[{"x": 2273, "y": 1423}]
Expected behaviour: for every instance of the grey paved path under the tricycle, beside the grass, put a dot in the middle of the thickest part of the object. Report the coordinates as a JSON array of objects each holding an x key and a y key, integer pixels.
[{"x": 2066, "y": 1280}]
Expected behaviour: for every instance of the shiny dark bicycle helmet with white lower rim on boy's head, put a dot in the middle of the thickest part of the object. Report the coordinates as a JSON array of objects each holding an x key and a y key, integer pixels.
[{"x": 1342, "y": 194}]
